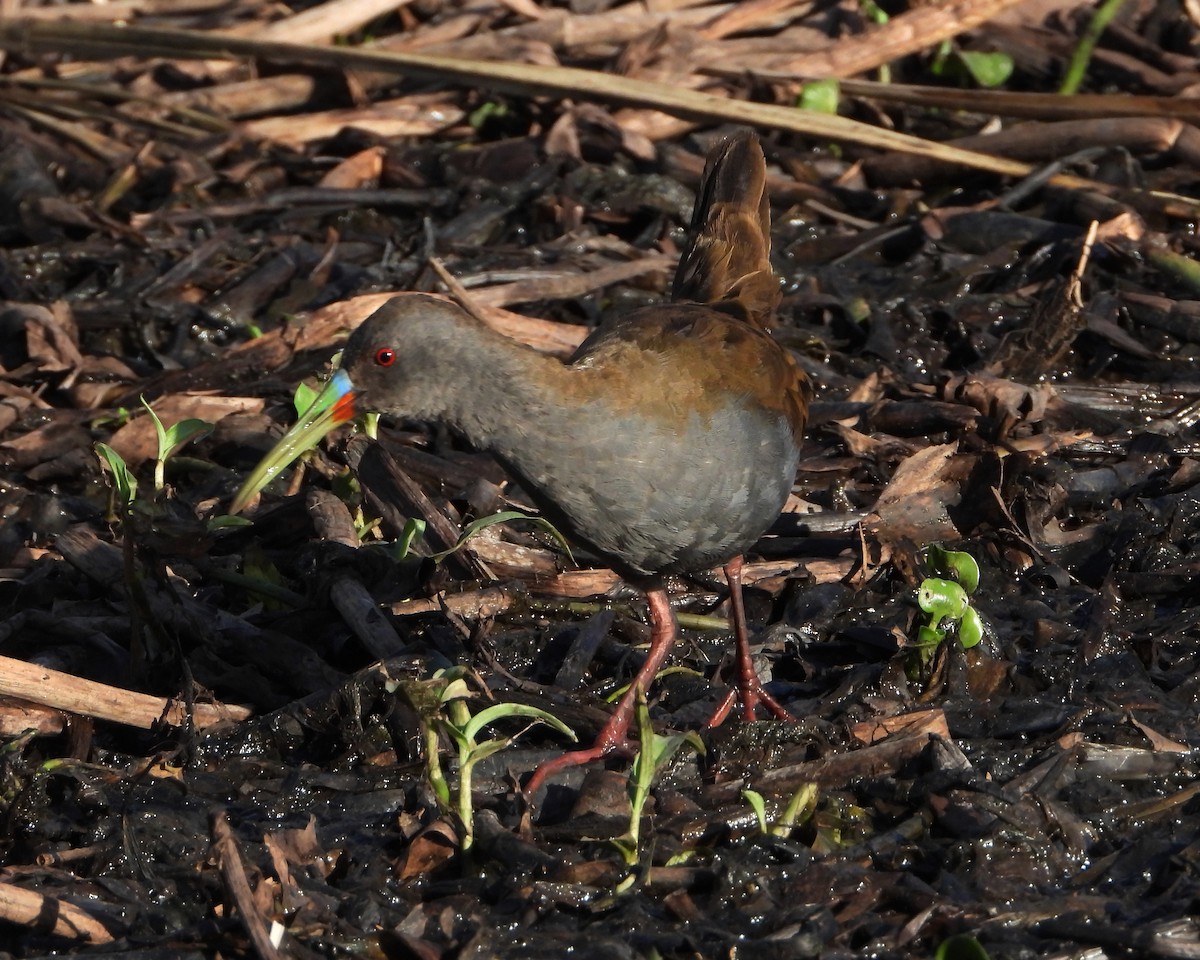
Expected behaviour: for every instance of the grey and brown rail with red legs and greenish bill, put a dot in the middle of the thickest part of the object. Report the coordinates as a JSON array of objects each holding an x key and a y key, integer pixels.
[{"x": 668, "y": 443}]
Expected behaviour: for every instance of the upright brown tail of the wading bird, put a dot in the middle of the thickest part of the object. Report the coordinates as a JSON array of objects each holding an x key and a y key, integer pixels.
[{"x": 728, "y": 263}]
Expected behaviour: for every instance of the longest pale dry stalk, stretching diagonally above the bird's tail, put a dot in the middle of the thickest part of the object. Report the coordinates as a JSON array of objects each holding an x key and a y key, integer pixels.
[{"x": 524, "y": 80}]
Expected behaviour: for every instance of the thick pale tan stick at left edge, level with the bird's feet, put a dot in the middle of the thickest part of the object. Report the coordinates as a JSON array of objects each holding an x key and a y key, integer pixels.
[{"x": 91, "y": 699}]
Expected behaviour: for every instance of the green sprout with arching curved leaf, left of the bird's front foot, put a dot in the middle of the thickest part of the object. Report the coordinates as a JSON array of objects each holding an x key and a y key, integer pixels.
[{"x": 441, "y": 706}]
